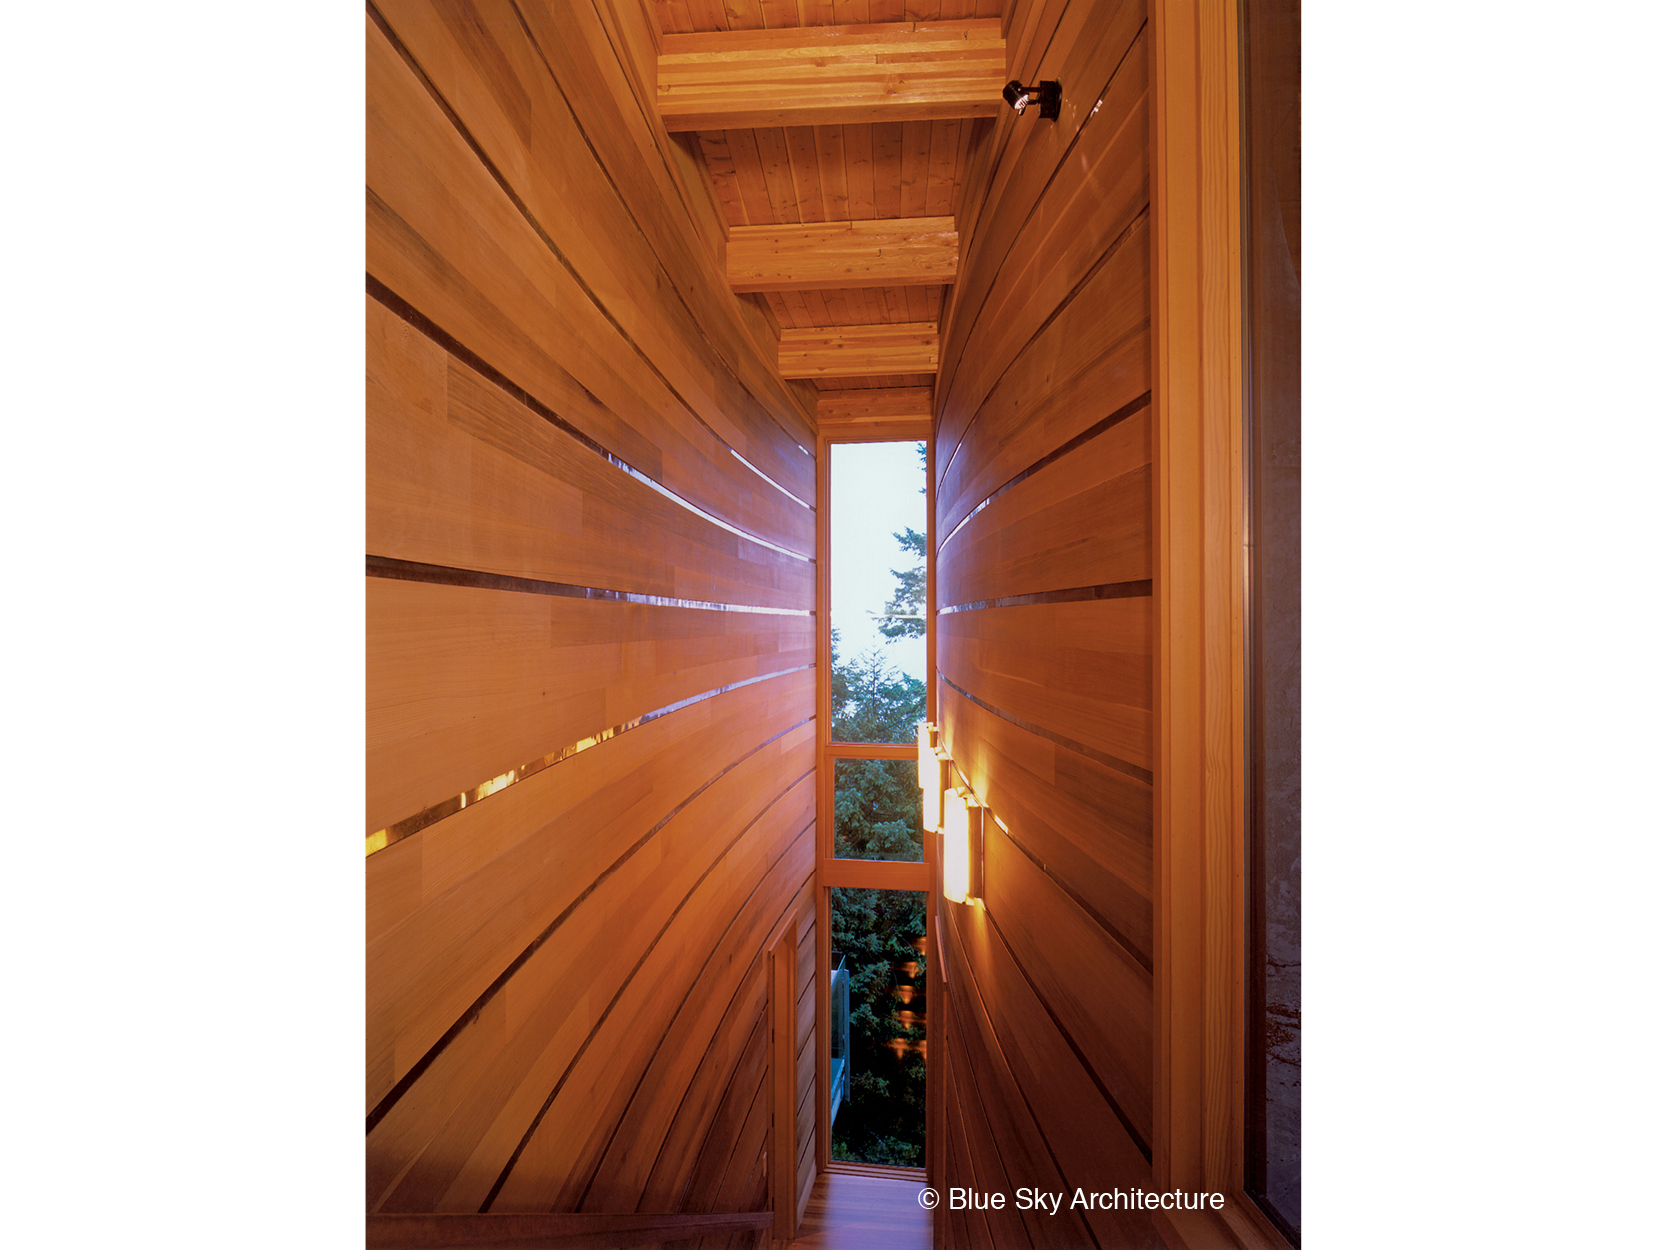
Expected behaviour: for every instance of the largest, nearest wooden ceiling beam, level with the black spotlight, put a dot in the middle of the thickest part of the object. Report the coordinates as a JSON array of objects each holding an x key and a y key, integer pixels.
[{"x": 828, "y": 76}]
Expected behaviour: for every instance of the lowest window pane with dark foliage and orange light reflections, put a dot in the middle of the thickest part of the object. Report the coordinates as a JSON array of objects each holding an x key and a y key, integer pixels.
[{"x": 879, "y": 1076}]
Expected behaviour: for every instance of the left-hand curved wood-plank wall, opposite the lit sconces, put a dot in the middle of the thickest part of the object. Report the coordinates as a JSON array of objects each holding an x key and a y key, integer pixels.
[{"x": 591, "y": 586}]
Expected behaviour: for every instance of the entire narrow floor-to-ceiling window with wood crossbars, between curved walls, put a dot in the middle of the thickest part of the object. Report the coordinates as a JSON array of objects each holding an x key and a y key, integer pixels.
[{"x": 874, "y": 852}]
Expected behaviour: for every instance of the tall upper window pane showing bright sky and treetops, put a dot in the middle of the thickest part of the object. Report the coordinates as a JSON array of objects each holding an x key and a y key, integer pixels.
[{"x": 878, "y": 521}]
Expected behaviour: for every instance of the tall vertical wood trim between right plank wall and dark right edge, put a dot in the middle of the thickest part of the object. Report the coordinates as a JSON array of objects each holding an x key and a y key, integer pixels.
[{"x": 1199, "y": 666}]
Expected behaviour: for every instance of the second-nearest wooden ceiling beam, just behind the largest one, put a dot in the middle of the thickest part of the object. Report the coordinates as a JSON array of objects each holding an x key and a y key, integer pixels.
[{"x": 836, "y": 256}]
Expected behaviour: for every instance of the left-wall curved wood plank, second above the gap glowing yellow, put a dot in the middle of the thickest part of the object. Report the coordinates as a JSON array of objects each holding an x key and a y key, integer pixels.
[{"x": 463, "y": 474}]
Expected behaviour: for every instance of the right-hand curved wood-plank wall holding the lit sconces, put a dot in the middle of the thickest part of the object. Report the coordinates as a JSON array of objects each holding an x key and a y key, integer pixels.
[{"x": 1044, "y": 639}]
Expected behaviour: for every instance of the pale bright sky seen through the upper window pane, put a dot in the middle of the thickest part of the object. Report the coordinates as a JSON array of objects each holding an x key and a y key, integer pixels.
[{"x": 876, "y": 492}]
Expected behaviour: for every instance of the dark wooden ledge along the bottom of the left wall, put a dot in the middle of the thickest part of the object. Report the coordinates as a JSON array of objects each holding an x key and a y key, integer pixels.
[{"x": 549, "y": 1232}]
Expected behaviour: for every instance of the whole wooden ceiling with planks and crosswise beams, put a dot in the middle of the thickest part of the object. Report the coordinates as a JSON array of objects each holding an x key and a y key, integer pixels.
[{"x": 928, "y": 74}]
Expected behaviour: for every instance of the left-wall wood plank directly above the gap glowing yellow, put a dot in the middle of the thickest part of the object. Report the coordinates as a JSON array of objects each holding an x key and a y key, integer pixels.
[{"x": 464, "y": 686}]
